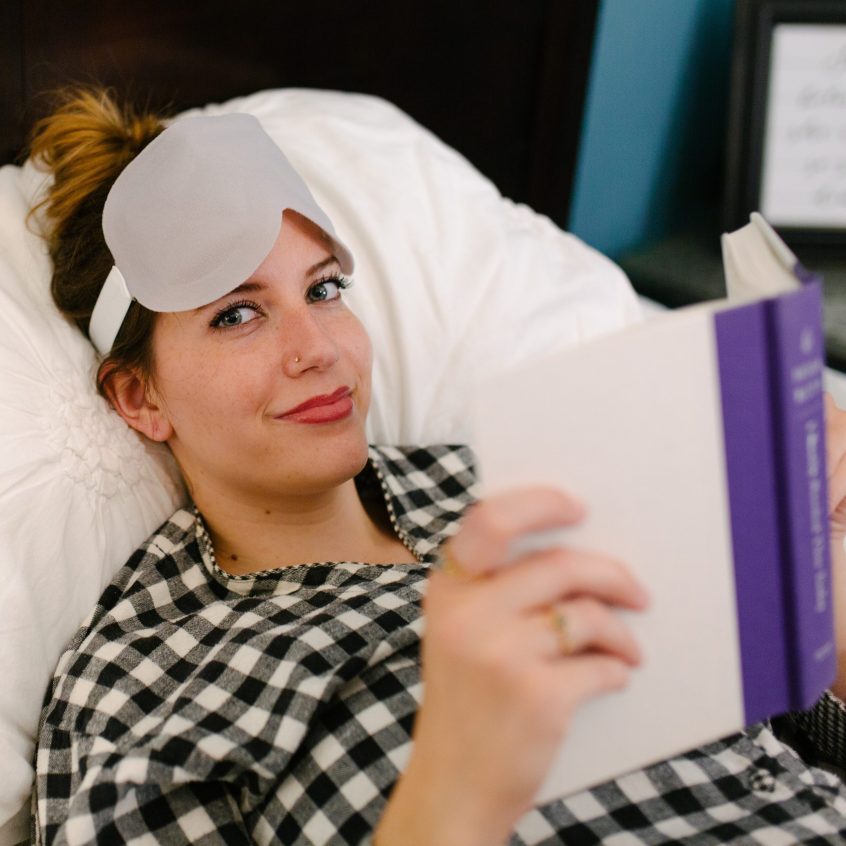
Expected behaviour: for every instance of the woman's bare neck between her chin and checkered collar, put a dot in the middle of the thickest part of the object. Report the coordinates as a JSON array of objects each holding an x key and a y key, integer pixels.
[{"x": 333, "y": 525}]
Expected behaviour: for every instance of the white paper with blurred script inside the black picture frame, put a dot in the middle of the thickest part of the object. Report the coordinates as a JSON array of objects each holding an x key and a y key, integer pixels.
[{"x": 803, "y": 178}]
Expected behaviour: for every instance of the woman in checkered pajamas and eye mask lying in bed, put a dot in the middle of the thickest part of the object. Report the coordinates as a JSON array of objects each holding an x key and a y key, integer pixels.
[{"x": 255, "y": 672}]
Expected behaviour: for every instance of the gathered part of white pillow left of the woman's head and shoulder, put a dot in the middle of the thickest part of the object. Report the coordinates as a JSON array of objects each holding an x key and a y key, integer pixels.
[{"x": 78, "y": 488}]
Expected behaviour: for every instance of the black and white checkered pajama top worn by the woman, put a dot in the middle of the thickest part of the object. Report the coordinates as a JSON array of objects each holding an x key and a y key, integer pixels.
[{"x": 198, "y": 707}]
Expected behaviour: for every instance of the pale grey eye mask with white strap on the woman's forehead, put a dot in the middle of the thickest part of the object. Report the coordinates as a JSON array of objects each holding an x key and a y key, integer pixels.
[{"x": 193, "y": 216}]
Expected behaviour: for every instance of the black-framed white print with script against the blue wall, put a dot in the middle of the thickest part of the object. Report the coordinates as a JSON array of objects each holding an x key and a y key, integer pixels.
[{"x": 786, "y": 153}]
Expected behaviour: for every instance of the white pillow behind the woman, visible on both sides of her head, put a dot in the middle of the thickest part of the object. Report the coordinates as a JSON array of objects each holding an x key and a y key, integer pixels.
[{"x": 451, "y": 280}]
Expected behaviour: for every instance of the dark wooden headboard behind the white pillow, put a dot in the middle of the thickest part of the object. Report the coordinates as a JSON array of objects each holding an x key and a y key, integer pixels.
[{"x": 503, "y": 83}]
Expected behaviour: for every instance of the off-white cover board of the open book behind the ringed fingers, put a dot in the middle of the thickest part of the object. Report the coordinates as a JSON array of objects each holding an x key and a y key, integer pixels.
[{"x": 632, "y": 424}]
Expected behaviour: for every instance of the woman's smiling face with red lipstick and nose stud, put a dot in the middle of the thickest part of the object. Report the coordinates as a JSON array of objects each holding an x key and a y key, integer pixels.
[{"x": 265, "y": 391}]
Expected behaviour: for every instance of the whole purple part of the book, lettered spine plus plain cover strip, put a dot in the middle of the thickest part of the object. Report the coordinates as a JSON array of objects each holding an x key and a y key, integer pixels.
[{"x": 770, "y": 359}]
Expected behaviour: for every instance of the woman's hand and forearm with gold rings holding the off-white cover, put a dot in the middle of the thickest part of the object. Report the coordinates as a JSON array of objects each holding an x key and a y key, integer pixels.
[{"x": 502, "y": 681}]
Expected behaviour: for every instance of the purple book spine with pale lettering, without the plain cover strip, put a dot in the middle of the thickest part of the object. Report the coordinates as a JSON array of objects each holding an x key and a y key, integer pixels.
[{"x": 796, "y": 377}]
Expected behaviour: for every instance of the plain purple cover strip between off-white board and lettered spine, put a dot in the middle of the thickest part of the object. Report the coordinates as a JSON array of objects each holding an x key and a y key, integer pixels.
[{"x": 742, "y": 359}]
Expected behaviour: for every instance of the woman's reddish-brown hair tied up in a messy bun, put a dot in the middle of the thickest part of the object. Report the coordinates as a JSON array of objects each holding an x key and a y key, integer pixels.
[{"x": 85, "y": 143}]
